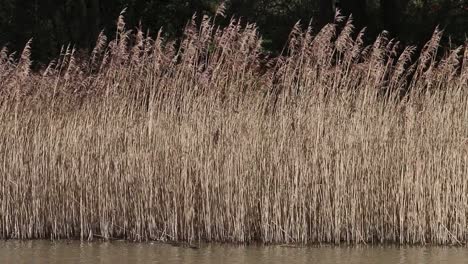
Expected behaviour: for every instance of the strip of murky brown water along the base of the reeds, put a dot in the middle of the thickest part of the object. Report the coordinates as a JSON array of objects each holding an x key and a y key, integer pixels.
[{"x": 17, "y": 252}]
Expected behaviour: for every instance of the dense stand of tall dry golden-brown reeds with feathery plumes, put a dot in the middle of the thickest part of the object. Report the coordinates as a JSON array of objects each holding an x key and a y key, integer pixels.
[{"x": 207, "y": 139}]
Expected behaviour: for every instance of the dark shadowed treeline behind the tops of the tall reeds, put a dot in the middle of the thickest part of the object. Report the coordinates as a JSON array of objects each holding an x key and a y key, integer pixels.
[{"x": 53, "y": 23}]
